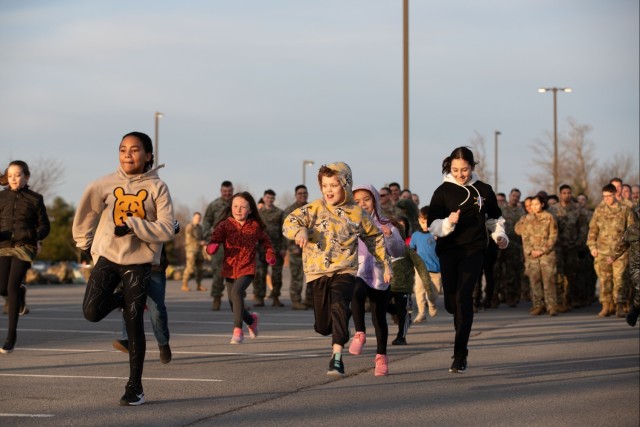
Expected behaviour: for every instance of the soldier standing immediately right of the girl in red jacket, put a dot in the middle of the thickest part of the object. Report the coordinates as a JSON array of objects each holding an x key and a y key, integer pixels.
[{"x": 272, "y": 217}]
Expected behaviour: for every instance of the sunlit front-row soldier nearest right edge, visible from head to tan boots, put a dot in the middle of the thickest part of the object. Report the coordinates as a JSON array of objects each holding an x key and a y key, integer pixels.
[{"x": 610, "y": 220}]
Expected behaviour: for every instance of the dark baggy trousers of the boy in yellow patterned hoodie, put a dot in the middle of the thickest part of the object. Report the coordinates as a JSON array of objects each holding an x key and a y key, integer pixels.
[{"x": 331, "y": 299}]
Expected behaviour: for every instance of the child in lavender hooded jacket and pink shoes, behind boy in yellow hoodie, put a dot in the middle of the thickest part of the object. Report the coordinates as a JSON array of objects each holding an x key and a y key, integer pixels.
[{"x": 369, "y": 280}]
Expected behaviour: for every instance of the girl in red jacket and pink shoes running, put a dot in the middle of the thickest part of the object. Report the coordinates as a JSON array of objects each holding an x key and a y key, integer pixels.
[{"x": 240, "y": 233}]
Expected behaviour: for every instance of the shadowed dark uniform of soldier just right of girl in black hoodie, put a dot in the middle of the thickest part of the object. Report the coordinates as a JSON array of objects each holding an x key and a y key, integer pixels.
[{"x": 509, "y": 266}]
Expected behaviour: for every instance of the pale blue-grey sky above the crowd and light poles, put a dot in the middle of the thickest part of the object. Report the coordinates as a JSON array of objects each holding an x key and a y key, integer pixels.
[{"x": 251, "y": 88}]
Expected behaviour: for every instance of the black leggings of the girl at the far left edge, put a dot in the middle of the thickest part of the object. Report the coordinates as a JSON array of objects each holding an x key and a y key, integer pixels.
[{"x": 12, "y": 271}]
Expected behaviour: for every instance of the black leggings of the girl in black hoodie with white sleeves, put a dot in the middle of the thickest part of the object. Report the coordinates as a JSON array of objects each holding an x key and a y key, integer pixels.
[{"x": 460, "y": 272}]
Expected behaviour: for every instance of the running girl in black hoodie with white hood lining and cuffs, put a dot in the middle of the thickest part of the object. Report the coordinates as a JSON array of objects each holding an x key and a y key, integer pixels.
[{"x": 463, "y": 210}]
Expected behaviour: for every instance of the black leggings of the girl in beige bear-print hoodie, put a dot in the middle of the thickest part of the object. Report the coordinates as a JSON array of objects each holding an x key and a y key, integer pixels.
[{"x": 99, "y": 301}]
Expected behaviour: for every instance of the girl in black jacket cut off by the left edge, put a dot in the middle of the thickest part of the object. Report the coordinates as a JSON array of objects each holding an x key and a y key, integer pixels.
[{"x": 23, "y": 223}]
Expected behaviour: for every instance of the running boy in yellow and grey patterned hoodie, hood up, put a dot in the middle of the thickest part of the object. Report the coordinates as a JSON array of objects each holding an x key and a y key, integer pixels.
[{"x": 328, "y": 230}]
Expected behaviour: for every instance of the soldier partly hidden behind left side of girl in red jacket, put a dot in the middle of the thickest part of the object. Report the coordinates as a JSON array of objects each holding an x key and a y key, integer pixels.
[{"x": 213, "y": 215}]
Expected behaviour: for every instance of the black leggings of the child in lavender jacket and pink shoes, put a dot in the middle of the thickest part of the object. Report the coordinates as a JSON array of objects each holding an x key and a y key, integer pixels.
[{"x": 379, "y": 301}]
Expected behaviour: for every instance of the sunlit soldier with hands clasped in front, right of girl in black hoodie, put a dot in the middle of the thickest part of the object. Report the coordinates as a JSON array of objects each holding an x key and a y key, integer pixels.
[{"x": 539, "y": 232}]
